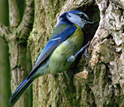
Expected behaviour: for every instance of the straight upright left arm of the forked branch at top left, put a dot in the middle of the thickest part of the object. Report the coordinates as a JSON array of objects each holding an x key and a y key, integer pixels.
[{"x": 14, "y": 15}]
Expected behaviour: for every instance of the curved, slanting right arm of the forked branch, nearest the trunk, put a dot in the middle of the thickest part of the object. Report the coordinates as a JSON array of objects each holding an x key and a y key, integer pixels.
[{"x": 27, "y": 22}]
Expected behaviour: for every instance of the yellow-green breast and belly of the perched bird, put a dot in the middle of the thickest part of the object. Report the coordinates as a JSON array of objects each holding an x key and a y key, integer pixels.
[{"x": 58, "y": 59}]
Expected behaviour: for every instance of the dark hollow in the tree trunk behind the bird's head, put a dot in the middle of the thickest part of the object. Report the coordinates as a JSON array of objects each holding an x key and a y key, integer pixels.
[{"x": 93, "y": 12}]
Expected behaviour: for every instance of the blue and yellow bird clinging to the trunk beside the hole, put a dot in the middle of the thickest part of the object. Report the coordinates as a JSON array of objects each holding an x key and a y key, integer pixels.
[{"x": 61, "y": 50}]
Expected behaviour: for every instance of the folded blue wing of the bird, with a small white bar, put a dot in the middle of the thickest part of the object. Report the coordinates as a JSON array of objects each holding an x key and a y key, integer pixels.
[{"x": 51, "y": 45}]
